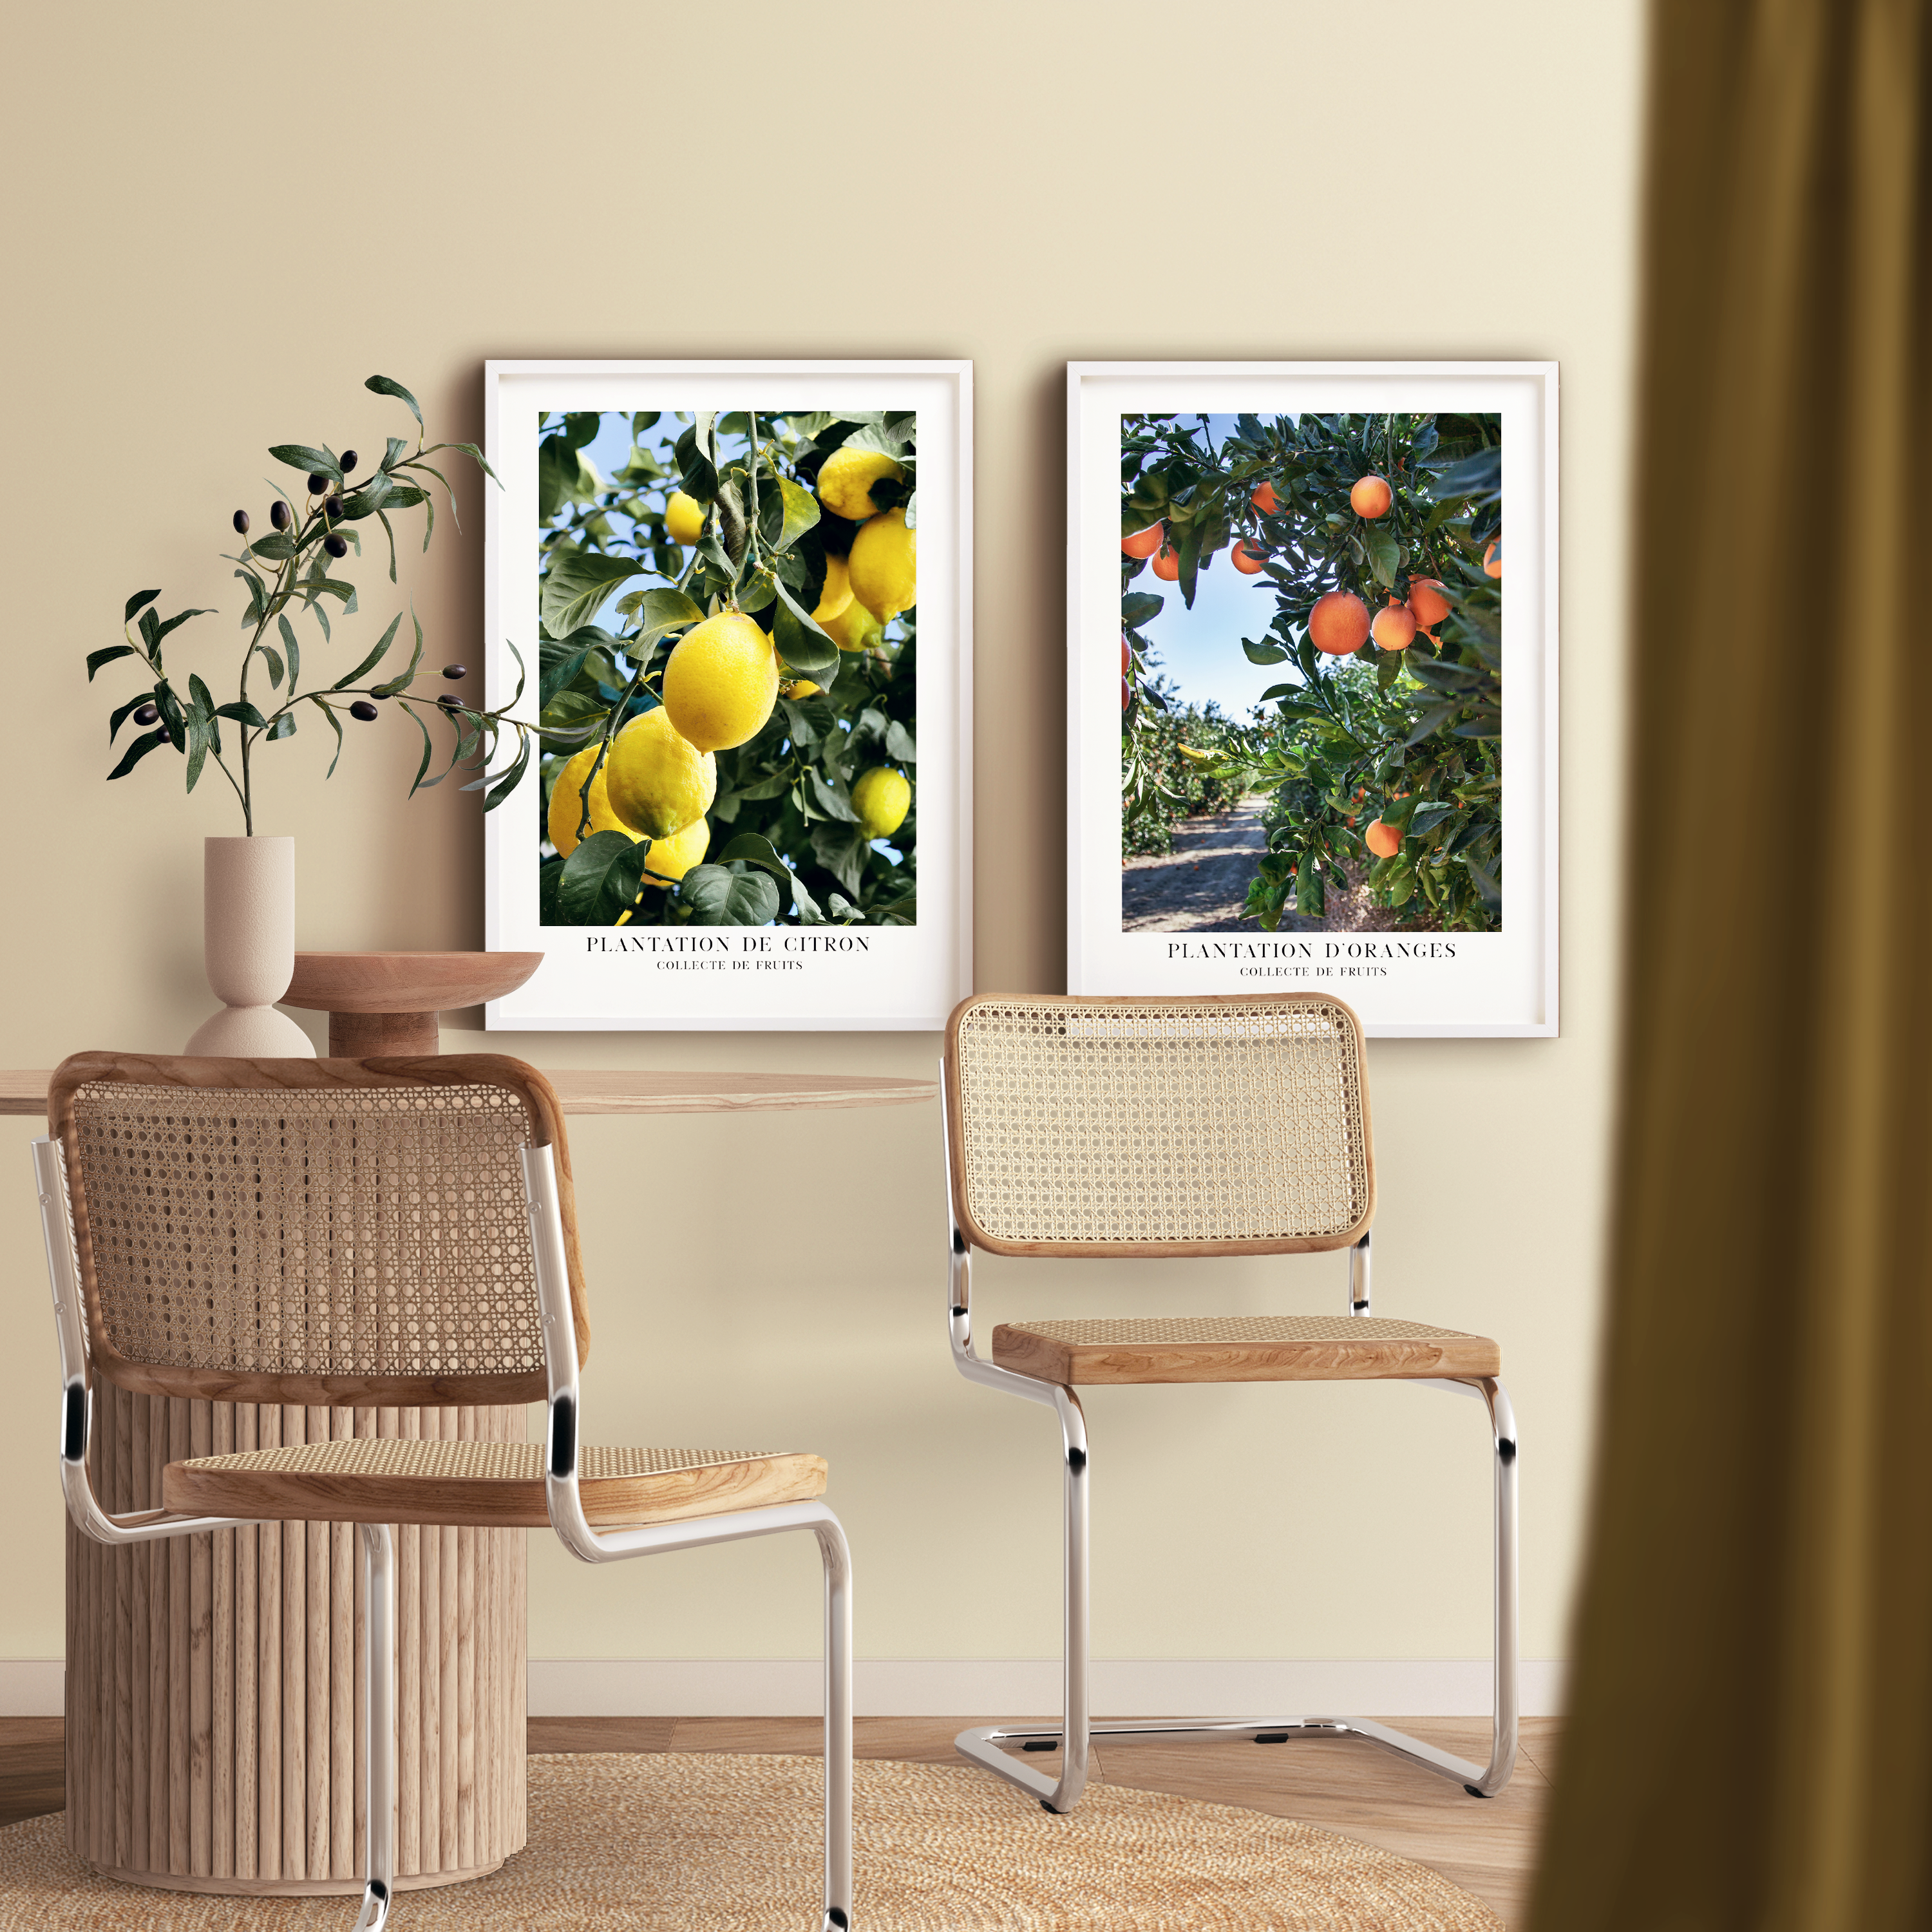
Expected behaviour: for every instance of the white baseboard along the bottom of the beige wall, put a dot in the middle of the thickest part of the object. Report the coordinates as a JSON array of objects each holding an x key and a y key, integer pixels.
[{"x": 938, "y": 1688}]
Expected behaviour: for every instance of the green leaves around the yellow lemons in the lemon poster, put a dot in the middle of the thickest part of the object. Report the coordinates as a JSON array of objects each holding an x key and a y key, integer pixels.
[{"x": 785, "y": 838}]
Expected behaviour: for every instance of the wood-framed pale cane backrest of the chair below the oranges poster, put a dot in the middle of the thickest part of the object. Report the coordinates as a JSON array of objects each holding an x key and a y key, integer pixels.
[{"x": 1162, "y": 1123}]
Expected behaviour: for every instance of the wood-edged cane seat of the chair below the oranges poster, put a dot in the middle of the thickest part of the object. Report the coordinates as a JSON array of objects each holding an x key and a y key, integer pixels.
[{"x": 1241, "y": 1350}]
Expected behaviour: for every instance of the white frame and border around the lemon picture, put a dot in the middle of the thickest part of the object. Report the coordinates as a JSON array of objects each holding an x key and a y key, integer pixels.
[{"x": 845, "y": 979}]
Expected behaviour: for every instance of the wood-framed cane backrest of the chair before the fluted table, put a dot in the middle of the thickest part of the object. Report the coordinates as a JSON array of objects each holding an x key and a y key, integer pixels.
[{"x": 312, "y": 1232}]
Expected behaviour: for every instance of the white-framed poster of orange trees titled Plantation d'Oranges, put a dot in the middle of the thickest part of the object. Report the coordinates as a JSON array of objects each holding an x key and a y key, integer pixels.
[{"x": 1313, "y": 687}]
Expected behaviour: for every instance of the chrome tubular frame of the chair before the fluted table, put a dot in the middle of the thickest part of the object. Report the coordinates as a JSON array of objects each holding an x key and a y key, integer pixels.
[{"x": 380, "y": 1572}]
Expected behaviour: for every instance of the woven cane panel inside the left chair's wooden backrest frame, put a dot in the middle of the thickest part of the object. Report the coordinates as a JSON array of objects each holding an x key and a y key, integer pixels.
[{"x": 310, "y": 1232}]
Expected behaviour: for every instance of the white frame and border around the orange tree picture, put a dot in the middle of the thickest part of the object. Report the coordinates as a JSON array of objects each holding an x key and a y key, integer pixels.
[{"x": 1402, "y": 984}]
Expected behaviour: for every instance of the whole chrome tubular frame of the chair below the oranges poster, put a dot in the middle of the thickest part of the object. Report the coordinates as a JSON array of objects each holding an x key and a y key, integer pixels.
[{"x": 1077, "y": 1728}]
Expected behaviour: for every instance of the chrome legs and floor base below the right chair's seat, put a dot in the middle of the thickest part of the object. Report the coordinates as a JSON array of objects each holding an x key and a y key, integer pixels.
[{"x": 1077, "y": 1730}]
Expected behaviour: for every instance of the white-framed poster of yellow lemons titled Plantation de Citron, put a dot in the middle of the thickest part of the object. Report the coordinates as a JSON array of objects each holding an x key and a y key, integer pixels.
[{"x": 741, "y": 592}]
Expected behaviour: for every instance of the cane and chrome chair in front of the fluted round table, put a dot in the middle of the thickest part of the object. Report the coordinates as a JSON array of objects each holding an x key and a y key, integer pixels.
[{"x": 393, "y": 1232}]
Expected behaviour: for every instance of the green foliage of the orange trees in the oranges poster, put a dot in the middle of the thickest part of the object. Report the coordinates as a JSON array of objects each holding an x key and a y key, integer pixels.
[{"x": 1413, "y": 737}]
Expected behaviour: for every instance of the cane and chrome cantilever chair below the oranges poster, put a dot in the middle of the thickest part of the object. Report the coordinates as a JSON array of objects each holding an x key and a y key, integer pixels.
[{"x": 1187, "y": 1127}]
